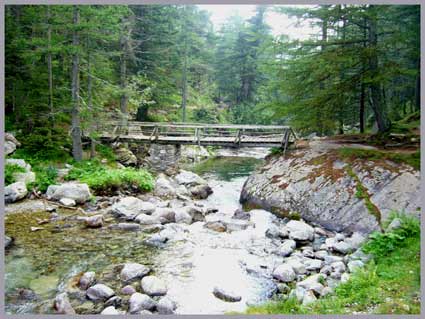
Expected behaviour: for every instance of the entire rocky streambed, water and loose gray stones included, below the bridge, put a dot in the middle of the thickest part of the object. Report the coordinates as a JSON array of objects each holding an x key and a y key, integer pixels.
[{"x": 181, "y": 249}]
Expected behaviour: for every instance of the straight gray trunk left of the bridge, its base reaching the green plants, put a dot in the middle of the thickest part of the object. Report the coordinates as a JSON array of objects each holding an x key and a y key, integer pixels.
[{"x": 77, "y": 148}]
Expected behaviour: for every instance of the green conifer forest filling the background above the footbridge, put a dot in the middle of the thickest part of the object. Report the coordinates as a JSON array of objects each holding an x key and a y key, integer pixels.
[{"x": 68, "y": 68}]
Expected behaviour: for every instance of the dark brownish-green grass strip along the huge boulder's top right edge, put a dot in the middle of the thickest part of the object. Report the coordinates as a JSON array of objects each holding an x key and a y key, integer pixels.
[{"x": 412, "y": 159}]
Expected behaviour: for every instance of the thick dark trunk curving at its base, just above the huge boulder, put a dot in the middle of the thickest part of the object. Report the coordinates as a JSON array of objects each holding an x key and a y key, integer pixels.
[{"x": 378, "y": 106}]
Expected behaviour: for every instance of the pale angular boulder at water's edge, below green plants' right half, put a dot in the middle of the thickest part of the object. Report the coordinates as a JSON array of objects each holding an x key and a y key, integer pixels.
[{"x": 130, "y": 207}]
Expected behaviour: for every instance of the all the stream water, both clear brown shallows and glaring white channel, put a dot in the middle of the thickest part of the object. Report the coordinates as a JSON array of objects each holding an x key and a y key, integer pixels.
[{"x": 192, "y": 264}]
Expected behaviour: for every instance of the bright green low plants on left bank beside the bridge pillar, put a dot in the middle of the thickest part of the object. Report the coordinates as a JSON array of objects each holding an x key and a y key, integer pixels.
[{"x": 102, "y": 178}]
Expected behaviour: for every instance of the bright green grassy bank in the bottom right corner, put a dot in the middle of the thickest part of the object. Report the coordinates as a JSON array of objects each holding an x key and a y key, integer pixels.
[{"x": 389, "y": 284}]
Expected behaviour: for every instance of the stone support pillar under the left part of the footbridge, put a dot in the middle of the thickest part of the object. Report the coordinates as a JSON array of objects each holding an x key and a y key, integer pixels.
[{"x": 164, "y": 158}]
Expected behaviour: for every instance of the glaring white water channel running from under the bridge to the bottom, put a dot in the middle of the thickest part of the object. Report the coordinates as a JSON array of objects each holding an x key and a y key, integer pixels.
[{"x": 238, "y": 261}]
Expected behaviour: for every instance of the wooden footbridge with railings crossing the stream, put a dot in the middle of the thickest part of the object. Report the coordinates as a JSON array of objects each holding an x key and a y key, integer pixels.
[{"x": 200, "y": 134}]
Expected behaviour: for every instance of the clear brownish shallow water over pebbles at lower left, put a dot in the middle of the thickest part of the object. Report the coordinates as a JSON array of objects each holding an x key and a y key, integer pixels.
[{"x": 45, "y": 260}]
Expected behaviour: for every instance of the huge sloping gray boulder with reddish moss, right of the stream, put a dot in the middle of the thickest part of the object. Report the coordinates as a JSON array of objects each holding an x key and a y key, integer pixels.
[{"x": 318, "y": 184}]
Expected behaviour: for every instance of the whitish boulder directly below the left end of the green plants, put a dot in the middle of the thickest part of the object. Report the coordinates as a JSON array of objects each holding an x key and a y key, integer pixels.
[{"x": 77, "y": 191}]
